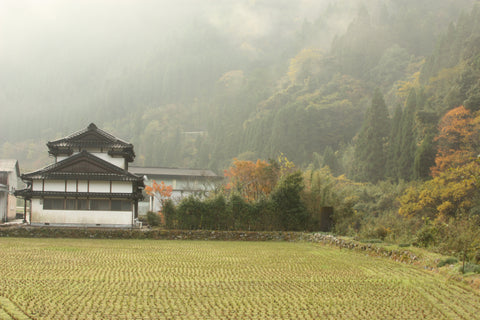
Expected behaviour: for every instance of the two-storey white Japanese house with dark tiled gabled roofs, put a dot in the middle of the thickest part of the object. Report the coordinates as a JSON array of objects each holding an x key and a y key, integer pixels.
[{"x": 87, "y": 185}]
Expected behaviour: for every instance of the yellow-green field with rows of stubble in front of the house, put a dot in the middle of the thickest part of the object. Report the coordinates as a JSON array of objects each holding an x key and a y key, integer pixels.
[{"x": 148, "y": 279}]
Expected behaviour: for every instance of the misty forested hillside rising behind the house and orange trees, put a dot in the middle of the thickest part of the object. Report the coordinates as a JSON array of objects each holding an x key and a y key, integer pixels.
[{"x": 196, "y": 86}]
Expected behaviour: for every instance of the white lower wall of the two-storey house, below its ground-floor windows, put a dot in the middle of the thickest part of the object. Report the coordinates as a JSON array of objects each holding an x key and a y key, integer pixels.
[{"x": 40, "y": 216}]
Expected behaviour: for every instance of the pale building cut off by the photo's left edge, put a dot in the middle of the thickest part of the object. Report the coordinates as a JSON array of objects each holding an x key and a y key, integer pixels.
[{"x": 9, "y": 174}]
